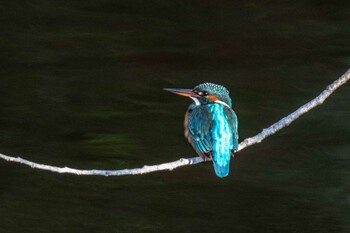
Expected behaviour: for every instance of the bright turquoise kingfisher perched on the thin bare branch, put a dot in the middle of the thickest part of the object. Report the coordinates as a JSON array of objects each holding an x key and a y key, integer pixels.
[{"x": 211, "y": 125}]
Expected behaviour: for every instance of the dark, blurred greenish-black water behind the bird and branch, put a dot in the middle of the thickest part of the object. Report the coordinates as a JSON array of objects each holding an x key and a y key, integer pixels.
[{"x": 81, "y": 86}]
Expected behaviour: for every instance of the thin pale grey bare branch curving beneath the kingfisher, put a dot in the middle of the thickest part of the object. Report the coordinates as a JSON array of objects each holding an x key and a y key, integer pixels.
[{"x": 284, "y": 122}]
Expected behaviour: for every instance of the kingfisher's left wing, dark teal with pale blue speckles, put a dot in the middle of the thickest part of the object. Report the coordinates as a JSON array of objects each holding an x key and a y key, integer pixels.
[{"x": 197, "y": 129}]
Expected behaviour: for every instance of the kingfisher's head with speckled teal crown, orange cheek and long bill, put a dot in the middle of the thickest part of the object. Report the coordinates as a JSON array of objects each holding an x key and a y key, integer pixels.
[{"x": 205, "y": 93}]
